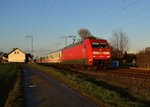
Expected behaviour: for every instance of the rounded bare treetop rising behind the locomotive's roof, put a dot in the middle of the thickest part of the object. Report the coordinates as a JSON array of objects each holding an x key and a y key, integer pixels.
[{"x": 84, "y": 33}]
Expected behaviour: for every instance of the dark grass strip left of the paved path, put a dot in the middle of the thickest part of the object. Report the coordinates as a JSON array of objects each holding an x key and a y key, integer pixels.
[{"x": 10, "y": 86}]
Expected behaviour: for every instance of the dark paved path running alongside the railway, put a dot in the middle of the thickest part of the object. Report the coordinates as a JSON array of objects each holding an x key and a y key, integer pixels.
[{"x": 43, "y": 91}]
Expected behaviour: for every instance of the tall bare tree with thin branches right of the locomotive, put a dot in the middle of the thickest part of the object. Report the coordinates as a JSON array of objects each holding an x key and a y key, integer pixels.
[{"x": 119, "y": 42}]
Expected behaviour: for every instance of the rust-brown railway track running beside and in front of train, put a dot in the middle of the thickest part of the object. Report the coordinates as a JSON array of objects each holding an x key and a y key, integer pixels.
[{"x": 130, "y": 73}]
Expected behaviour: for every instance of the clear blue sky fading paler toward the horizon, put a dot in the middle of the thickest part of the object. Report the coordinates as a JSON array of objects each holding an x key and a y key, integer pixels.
[{"x": 48, "y": 21}]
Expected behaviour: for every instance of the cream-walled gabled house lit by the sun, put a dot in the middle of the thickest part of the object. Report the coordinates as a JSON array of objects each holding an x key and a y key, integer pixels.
[{"x": 16, "y": 55}]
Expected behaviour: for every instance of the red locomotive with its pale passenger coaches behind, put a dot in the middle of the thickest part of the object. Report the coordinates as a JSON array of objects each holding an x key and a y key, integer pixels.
[{"x": 91, "y": 51}]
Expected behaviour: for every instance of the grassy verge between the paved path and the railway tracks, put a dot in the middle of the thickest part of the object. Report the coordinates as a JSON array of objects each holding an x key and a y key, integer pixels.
[{"x": 109, "y": 92}]
